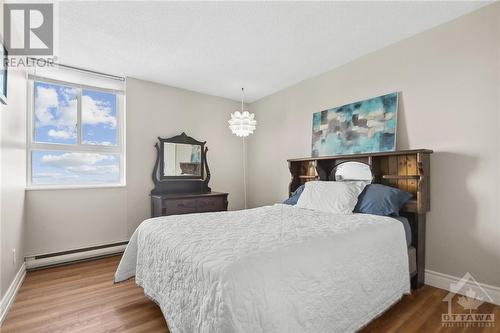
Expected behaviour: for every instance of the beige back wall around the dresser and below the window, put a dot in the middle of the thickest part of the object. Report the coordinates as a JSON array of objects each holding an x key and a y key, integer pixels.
[{"x": 59, "y": 220}]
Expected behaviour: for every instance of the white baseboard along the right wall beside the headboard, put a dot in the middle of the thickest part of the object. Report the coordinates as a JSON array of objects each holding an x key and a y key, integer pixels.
[{"x": 444, "y": 281}]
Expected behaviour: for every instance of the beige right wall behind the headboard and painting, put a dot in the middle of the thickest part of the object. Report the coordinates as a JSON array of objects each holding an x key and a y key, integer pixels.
[{"x": 449, "y": 79}]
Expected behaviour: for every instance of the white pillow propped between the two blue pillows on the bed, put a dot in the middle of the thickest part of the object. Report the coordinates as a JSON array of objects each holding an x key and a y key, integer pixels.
[{"x": 330, "y": 196}]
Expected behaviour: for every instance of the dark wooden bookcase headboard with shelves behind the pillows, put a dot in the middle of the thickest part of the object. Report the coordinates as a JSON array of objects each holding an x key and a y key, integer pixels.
[{"x": 408, "y": 170}]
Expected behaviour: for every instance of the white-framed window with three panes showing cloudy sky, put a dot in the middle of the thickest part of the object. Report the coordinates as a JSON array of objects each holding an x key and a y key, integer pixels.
[{"x": 76, "y": 135}]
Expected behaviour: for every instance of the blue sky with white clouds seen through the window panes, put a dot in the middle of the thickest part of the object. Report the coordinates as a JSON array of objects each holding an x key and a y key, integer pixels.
[{"x": 56, "y": 122}]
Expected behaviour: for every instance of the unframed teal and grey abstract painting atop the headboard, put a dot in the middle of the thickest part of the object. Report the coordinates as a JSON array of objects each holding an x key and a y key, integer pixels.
[{"x": 367, "y": 126}]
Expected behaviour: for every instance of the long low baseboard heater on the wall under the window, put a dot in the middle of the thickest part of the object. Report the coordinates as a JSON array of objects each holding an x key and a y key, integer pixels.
[{"x": 32, "y": 262}]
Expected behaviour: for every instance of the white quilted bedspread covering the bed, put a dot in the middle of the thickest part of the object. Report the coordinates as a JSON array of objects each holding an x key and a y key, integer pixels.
[{"x": 269, "y": 269}]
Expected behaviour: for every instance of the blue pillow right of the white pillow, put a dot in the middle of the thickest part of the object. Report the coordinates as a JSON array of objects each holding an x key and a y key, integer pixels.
[{"x": 382, "y": 200}]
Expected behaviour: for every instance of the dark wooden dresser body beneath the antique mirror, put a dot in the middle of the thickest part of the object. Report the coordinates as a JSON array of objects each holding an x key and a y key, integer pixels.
[{"x": 185, "y": 203}]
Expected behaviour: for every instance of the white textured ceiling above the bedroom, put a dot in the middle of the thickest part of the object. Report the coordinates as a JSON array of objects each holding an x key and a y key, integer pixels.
[{"x": 218, "y": 47}]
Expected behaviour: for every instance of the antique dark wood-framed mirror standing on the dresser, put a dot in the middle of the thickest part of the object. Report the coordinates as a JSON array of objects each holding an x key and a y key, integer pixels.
[{"x": 181, "y": 166}]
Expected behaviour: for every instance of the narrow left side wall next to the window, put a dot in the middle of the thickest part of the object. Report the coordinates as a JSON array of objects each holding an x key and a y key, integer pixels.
[{"x": 12, "y": 175}]
